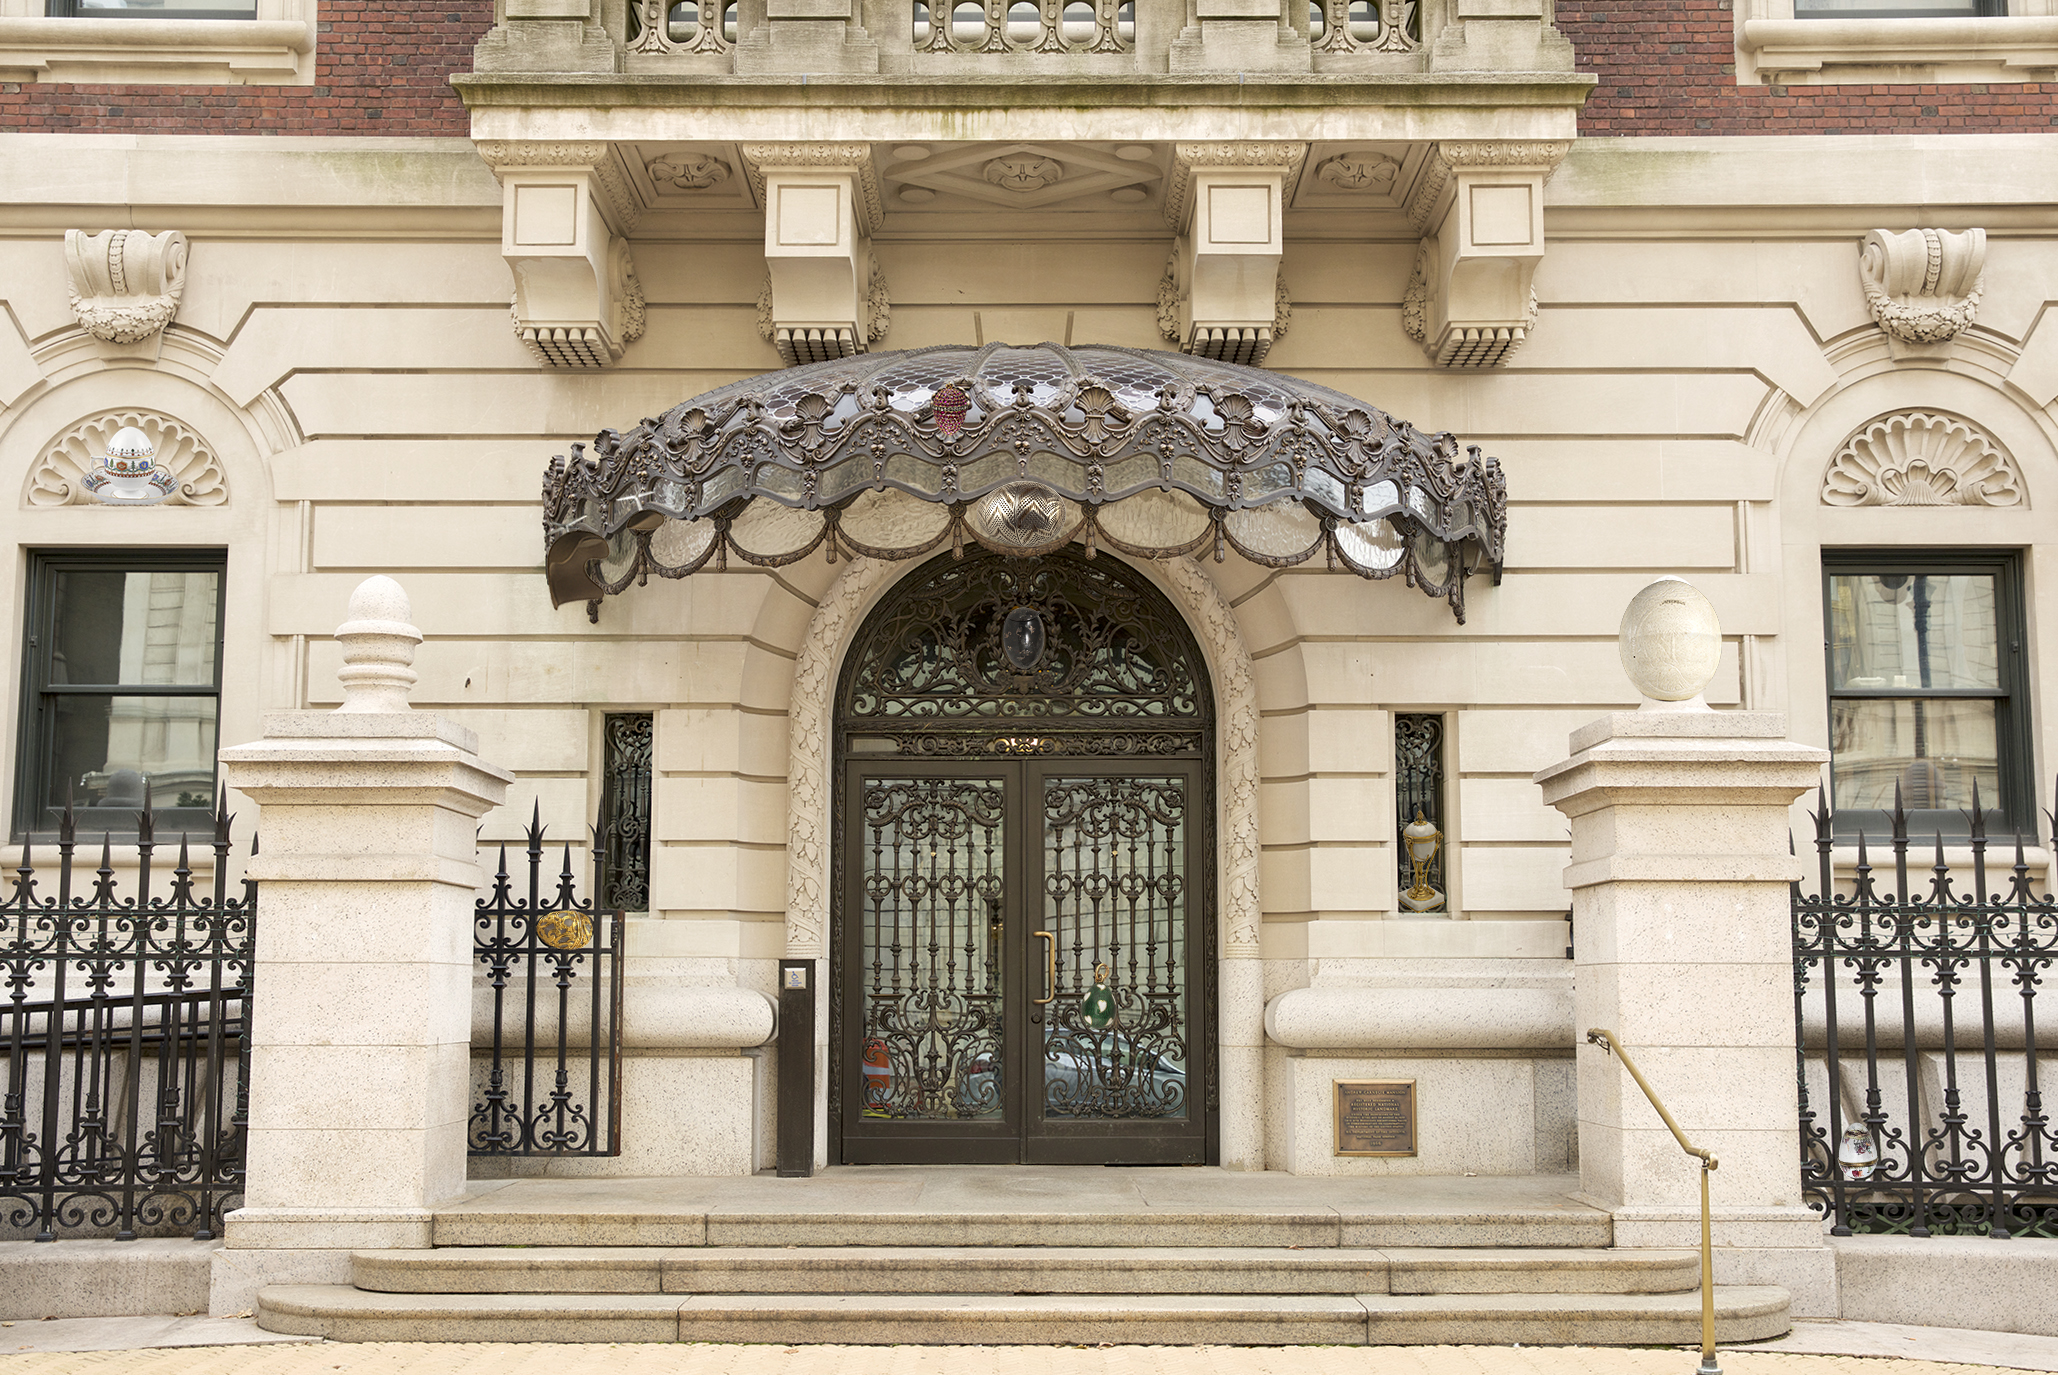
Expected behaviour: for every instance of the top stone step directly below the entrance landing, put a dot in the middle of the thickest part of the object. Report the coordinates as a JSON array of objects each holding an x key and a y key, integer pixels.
[{"x": 485, "y": 1224}]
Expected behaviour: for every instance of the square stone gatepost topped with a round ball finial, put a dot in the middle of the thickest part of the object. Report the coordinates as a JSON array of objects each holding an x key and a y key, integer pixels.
[{"x": 1682, "y": 948}]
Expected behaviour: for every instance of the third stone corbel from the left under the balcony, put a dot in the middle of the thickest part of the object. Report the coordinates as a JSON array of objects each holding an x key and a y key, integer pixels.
[{"x": 1221, "y": 295}]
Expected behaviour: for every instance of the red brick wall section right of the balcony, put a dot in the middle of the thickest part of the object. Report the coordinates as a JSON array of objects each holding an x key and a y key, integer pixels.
[{"x": 1666, "y": 67}]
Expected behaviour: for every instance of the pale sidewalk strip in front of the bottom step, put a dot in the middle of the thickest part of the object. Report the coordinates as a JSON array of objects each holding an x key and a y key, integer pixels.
[{"x": 236, "y": 1347}]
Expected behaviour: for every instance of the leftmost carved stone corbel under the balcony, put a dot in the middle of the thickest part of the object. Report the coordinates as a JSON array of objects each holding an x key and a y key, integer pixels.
[{"x": 567, "y": 213}]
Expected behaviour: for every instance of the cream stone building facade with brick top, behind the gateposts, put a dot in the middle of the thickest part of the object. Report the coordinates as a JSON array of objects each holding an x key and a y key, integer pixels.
[{"x": 1748, "y": 295}]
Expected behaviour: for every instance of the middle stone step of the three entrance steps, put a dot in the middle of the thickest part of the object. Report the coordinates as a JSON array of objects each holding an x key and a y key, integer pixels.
[{"x": 1022, "y": 1271}]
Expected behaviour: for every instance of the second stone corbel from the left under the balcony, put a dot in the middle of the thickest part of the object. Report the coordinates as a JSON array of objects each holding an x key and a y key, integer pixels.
[{"x": 824, "y": 293}]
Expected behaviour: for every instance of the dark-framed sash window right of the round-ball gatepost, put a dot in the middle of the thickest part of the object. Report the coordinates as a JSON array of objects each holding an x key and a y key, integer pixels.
[{"x": 1927, "y": 691}]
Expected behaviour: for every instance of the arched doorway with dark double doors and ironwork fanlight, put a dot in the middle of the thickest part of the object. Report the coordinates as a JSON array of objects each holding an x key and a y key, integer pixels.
[{"x": 1024, "y": 882}]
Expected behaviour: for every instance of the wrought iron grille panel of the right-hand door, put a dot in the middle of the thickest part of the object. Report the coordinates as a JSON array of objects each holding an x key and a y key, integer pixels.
[{"x": 1114, "y": 901}]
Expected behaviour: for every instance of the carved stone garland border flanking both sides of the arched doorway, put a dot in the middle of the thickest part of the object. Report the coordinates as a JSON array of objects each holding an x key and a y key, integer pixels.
[{"x": 810, "y": 719}]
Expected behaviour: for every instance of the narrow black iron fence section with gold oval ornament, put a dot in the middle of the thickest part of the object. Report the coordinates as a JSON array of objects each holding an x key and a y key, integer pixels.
[{"x": 548, "y": 1057}]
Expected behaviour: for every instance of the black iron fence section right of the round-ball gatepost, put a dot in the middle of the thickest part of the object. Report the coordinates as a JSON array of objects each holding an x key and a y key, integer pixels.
[{"x": 1917, "y": 1020}]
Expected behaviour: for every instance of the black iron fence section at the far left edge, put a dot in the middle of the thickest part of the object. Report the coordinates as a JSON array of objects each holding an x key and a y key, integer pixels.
[{"x": 125, "y": 1030}]
